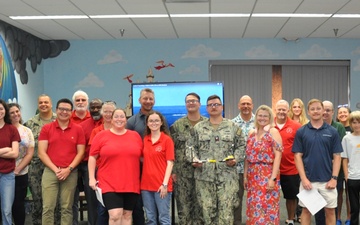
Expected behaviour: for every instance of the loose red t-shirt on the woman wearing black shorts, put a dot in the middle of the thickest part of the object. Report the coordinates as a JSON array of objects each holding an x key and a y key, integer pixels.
[{"x": 119, "y": 165}]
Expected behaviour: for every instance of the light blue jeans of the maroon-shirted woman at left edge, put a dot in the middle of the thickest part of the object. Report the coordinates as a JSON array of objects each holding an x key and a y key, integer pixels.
[{"x": 7, "y": 193}]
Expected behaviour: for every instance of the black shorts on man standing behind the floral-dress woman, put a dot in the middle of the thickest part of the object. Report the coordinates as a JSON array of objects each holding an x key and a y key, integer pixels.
[{"x": 290, "y": 185}]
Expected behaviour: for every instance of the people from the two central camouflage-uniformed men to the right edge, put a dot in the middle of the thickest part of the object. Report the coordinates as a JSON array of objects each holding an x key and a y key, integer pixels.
[{"x": 270, "y": 150}]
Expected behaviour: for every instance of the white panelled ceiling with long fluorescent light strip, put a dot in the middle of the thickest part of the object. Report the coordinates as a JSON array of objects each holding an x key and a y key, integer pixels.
[{"x": 164, "y": 28}]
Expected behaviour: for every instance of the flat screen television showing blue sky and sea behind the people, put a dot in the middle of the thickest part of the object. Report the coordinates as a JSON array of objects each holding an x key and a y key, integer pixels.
[{"x": 170, "y": 96}]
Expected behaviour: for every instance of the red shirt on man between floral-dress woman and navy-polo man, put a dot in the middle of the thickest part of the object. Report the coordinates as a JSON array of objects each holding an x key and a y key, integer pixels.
[{"x": 288, "y": 131}]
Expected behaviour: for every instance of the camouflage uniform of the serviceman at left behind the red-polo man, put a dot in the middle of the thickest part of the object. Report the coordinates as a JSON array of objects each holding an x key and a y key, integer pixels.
[{"x": 36, "y": 170}]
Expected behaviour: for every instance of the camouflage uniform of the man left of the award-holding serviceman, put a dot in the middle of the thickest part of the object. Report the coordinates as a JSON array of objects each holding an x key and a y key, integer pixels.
[{"x": 189, "y": 211}]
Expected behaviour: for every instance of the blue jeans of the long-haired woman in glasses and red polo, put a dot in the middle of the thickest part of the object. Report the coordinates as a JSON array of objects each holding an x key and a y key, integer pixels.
[{"x": 156, "y": 207}]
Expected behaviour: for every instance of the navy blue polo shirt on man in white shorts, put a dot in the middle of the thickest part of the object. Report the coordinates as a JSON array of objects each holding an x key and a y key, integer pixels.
[{"x": 318, "y": 147}]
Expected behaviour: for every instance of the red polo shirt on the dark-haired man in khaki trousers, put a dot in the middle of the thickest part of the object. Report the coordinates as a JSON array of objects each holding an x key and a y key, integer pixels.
[{"x": 62, "y": 144}]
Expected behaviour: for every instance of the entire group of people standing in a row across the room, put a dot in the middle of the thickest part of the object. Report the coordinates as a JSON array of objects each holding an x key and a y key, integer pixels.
[{"x": 208, "y": 162}]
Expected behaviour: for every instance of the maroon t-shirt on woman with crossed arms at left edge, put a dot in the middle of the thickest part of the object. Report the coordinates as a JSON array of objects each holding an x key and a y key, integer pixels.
[{"x": 8, "y": 134}]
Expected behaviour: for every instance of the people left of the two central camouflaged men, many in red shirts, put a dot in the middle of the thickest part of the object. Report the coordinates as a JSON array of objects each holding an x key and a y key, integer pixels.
[{"x": 85, "y": 145}]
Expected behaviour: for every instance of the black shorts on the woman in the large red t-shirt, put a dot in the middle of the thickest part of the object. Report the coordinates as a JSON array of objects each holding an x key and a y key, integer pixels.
[{"x": 114, "y": 200}]
